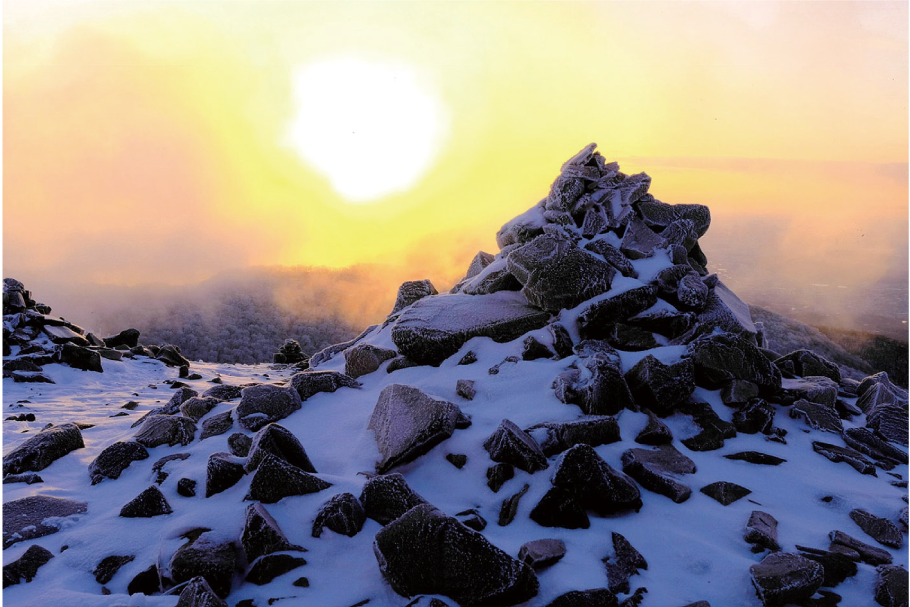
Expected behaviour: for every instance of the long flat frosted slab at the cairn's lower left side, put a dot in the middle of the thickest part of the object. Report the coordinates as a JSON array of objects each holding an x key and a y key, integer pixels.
[{"x": 436, "y": 327}]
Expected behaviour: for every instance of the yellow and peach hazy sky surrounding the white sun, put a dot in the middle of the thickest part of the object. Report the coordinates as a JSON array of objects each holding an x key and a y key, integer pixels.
[{"x": 148, "y": 141}]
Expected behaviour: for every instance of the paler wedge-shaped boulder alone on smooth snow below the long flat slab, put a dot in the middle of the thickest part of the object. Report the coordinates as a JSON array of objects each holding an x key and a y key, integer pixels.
[{"x": 408, "y": 423}]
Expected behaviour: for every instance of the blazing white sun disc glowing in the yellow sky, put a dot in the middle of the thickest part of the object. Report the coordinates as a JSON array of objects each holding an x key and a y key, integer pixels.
[{"x": 371, "y": 128}]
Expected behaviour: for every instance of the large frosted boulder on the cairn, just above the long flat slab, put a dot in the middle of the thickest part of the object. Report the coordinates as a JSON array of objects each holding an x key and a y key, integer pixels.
[{"x": 556, "y": 274}]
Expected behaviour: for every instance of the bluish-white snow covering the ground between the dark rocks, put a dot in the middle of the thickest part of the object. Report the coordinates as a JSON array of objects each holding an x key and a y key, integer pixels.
[{"x": 695, "y": 550}]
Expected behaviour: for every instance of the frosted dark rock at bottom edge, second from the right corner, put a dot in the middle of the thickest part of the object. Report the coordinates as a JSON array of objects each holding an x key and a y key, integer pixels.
[{"x": 783, "y": 578}]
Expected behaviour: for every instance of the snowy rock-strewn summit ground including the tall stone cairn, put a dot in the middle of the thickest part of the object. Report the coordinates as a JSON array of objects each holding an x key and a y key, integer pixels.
[{"x": 589, "y": 417}]
